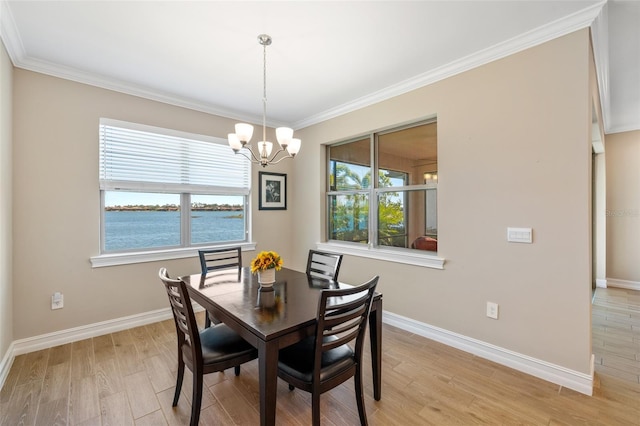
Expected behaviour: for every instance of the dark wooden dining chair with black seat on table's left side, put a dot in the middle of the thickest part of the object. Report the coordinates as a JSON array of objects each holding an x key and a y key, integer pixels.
[{"x": 213, "y": 349}]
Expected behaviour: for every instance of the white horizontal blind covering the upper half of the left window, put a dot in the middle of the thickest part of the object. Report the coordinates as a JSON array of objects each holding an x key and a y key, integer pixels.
[{"x": 137, "y": 157}]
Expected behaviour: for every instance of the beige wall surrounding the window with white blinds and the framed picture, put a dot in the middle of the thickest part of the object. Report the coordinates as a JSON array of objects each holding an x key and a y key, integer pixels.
[{"x": 57, "y": 205}]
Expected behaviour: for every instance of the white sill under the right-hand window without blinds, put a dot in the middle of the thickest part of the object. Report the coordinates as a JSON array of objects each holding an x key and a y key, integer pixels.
[{"x": 409, "y": 257}]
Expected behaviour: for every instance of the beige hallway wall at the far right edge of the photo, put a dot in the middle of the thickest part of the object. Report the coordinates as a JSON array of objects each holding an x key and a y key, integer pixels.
[{"x": 623, "y": 206}]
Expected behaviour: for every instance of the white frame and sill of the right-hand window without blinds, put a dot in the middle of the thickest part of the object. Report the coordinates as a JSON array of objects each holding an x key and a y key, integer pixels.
[{"x": 373, "y": 250}]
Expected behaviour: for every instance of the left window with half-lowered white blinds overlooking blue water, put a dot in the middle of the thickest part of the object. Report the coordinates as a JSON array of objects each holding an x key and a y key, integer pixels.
[{"x": 162, "y": 189}]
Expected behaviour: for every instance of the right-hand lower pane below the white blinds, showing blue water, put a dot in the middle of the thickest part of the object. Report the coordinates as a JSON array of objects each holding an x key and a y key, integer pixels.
[{"x": 217, "y": 219}]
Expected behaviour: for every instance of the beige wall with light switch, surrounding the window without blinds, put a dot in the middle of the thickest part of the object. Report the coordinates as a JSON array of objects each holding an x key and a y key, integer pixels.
[{"x": 514, "y": 149}]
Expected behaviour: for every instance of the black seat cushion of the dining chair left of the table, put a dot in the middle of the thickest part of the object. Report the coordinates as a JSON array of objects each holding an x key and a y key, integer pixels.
[{"x": 220, "y": 343}]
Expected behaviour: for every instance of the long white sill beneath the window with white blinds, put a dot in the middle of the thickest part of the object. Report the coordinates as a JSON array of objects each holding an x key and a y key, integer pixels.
[{"x": 114, "y": 259}]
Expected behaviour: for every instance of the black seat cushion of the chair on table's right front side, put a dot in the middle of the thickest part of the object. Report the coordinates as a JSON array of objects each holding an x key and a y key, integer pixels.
[{"x": 297, "y": 360}]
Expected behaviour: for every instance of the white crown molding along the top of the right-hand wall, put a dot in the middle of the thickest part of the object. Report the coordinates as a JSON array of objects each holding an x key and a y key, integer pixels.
[{"x": 579, "y": 20}]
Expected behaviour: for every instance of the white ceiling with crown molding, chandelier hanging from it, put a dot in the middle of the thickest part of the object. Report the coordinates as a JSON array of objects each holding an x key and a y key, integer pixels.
[{"x": 327, "y": 57}]
